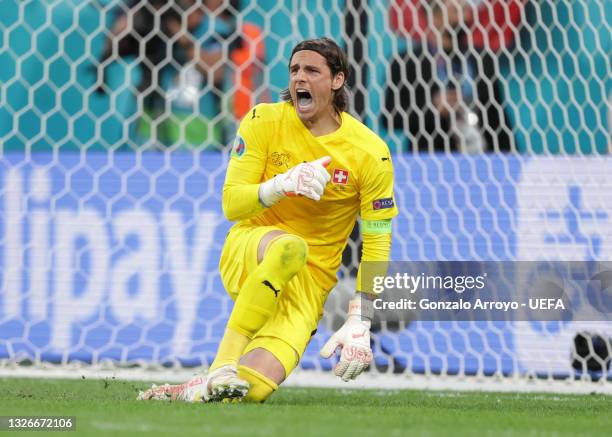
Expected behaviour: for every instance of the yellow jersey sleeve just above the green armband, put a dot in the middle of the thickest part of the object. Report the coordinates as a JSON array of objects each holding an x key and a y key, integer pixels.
[{"x": 377, "y": 201}]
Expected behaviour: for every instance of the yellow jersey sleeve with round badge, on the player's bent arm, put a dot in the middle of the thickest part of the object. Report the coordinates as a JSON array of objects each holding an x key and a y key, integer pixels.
[{"x": 245, "y": 170}]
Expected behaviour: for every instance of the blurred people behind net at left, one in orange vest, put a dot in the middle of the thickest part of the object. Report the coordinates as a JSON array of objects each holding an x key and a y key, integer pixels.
[{"x": 201, "y": 68}]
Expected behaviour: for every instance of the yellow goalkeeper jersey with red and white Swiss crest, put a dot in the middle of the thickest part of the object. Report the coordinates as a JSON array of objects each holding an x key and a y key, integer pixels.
[{"x": 271, "y": 140}]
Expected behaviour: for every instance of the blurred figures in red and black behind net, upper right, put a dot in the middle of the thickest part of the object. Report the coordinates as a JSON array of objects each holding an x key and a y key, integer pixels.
[{"x": 444, "y": 89}]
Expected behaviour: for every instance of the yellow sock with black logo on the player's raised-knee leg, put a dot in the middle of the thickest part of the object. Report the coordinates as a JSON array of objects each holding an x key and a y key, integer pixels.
[{"x": 257, "y": 298}]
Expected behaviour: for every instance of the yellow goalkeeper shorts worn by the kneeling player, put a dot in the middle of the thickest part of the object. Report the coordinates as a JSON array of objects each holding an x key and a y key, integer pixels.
[{"x": 300, "y": 305}]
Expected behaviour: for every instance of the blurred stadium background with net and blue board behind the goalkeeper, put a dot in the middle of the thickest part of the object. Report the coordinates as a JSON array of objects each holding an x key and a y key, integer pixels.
[{"x": 115, "y": 141}]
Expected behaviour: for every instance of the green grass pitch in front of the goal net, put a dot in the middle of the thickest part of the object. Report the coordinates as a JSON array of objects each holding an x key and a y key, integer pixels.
[{"x": 108, "y": 407}]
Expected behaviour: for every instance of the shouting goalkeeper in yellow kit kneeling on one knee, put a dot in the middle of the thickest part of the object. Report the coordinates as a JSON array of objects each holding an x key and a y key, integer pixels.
[{"x": 300, "y": 173}]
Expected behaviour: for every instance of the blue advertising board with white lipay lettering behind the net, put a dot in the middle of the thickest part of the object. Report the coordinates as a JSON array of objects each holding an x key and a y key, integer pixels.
[{"x": 115, "y": 255}]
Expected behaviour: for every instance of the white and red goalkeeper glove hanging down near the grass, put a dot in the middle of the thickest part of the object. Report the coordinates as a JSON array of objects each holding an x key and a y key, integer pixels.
[{"x": 354, "y": 339}]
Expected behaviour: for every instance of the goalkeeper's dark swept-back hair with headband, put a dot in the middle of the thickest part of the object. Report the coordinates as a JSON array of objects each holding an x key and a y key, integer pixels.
[{"x": 337, "y": 63}]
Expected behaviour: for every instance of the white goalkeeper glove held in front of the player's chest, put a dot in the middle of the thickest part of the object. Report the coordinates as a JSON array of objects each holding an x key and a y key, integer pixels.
[{"x": 306, "y": 179}]
